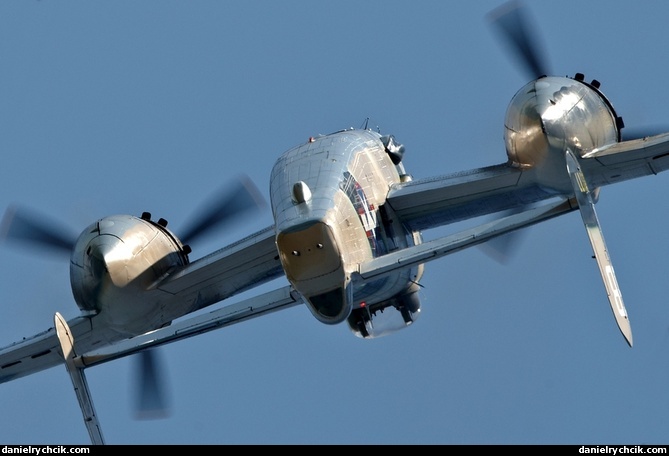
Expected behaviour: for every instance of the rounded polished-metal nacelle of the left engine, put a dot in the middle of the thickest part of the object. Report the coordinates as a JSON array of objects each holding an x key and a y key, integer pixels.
[{"x": 114, "y": 265}]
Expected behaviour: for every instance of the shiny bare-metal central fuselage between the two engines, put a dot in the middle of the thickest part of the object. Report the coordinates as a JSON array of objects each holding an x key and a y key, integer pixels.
[{"x": 328, "y": 200}]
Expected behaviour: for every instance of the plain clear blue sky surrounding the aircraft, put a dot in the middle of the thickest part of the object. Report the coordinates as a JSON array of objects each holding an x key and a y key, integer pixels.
[{"x": 124, "y": 107}]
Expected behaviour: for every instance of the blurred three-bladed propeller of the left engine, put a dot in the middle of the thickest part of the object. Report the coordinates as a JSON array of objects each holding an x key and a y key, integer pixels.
[{"x": 37, "y": 231}]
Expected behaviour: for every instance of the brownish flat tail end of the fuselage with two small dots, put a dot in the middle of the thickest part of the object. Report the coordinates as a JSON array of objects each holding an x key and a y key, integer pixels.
[{"x": 313, "y": 264}]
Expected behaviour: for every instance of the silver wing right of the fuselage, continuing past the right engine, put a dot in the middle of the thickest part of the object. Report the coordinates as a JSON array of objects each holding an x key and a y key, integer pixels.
[{"x": 431, "y": 202}]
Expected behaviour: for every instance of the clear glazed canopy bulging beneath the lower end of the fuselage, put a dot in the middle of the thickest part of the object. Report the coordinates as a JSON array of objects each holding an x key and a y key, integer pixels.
[{"x": 387, "y": 317}]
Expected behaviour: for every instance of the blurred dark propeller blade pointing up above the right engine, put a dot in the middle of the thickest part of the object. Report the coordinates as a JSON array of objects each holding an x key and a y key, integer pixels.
[{"x": 512, "y": 20}]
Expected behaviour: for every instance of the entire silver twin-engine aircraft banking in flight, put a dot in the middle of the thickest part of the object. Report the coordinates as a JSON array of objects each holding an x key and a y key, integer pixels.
[{"x": 346, "y": 234}]
